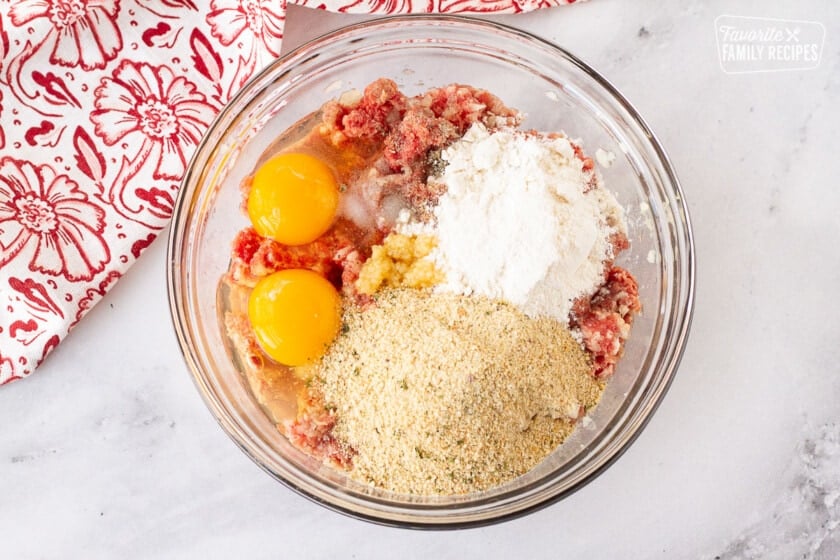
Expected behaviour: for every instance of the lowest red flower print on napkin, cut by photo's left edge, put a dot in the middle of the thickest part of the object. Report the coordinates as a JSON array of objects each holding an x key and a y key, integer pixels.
[{"x": 49, "y": 215}]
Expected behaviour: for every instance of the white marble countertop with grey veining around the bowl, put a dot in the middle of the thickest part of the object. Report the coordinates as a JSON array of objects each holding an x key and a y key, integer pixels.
[{"x": 108, "y": 450}]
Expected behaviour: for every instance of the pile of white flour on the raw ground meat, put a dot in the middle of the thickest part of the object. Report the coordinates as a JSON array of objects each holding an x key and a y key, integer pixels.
[{"x": 516, "y": 224}]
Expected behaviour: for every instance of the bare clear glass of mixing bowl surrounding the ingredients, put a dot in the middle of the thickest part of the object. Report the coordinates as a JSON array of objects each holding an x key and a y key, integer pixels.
[{"x": 556, "y": 91}]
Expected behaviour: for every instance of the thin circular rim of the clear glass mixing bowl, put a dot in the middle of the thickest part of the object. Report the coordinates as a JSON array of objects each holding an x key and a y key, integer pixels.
[{"x": 178, "y": 235}]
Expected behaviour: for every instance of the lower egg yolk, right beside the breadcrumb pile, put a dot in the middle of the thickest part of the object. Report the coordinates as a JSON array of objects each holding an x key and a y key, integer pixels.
[{"x": 295, "y": 315}]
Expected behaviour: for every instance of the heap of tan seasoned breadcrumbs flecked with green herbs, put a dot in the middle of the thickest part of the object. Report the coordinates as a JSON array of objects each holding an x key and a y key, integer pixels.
[{"x": 447, "y": 394}]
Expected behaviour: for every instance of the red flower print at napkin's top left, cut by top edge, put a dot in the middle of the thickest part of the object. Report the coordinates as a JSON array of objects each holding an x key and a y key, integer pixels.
[{"x": 84, "y": 32}]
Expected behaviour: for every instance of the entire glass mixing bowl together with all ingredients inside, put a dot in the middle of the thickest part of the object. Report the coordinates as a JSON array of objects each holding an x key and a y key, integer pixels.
[{"x": 404, "y": 283}]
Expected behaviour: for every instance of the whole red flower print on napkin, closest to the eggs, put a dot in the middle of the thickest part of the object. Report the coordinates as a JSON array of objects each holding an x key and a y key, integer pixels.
[{"x": 150, "y": 105}]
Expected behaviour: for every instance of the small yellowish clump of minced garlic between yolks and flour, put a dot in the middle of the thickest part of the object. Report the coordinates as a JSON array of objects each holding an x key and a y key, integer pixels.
[{"x": 400, "y": 262}]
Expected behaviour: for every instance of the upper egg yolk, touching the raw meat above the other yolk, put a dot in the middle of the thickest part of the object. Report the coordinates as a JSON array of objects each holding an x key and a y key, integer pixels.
[{"x": 293, "y": 199}]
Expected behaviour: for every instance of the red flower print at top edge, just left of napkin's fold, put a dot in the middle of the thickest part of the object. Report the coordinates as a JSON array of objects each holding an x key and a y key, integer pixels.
[{"x": 248, "y": 19}]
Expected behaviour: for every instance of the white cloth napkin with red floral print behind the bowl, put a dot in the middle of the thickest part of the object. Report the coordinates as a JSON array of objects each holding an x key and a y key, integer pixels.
[{"x": 102, "y": 103}]
